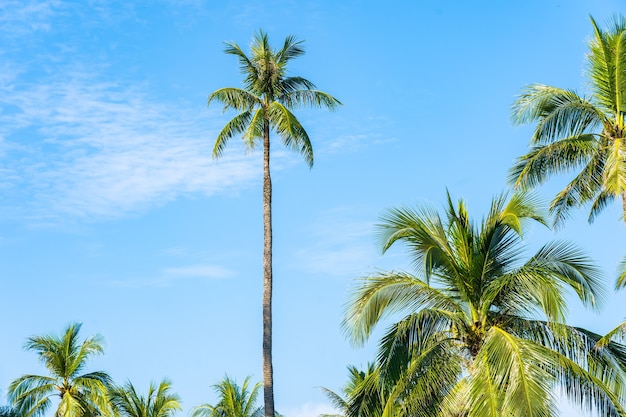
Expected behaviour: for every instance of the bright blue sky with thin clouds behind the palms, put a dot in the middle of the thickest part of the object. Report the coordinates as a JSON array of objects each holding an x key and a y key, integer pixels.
[{"x": 113, "y": 212}]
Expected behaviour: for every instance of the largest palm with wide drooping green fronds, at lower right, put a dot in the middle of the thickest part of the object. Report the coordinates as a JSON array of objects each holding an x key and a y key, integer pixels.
[{"x": 481, "y": 325}]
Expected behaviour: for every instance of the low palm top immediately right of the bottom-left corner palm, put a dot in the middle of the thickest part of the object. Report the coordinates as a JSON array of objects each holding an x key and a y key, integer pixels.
[{"x": 159, "y": 402}]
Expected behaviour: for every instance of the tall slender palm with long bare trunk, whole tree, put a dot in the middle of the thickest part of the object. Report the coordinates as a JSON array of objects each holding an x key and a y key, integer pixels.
[{"x": 264, "y": 105}]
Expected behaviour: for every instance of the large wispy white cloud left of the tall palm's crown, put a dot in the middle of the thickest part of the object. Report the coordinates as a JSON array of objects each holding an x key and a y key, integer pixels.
[{"x": 88, "y": 147}]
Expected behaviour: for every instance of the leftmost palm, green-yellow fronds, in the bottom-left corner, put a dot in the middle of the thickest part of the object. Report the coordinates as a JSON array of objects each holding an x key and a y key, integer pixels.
[{"x": 65, "y": 357}]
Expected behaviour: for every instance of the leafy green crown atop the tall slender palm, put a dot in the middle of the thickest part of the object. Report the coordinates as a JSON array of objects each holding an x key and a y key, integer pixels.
[{"x": 268, "y": 97}]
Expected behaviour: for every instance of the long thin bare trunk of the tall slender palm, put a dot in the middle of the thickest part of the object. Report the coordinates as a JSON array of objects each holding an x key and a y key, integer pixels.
[{"x": 268, "y": 372}]
